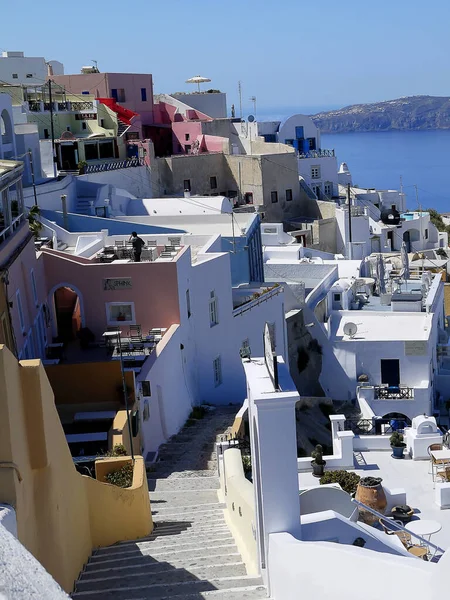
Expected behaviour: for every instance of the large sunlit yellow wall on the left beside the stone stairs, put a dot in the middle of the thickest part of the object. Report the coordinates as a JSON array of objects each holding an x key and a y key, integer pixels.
[{"x": 61, "y": 515}]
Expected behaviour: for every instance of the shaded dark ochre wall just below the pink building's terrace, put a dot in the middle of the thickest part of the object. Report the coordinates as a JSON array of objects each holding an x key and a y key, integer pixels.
[{"x": 89, "y": 382}]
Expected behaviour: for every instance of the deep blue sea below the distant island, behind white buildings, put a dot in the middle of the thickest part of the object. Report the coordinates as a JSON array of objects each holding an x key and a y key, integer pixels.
[{"x": 379, "y": 159}]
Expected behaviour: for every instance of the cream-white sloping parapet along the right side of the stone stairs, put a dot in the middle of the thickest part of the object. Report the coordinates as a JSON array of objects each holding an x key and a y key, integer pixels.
[{"x": 237, "y": 492}]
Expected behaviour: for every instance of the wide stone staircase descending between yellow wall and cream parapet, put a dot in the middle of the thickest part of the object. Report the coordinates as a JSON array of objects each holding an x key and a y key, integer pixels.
[{"x": 191, "y": 554}]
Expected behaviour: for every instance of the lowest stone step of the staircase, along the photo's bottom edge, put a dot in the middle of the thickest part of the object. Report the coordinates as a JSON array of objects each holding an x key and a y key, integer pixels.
[{"x": 136, "y": 591}]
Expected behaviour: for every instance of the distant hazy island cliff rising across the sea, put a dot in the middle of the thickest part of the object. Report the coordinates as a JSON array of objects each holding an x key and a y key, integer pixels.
[{"x": 414, "y": 113}]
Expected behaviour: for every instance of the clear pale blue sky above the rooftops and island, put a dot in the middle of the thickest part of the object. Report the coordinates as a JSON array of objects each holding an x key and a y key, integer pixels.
[{"x": 288, "y": 53}]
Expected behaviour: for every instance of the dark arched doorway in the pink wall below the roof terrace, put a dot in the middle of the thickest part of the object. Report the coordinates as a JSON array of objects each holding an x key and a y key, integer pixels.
[{"x": 68, "y": 313}]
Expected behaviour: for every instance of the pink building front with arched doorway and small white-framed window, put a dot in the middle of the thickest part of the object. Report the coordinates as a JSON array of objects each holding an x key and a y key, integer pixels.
[{"x": 83, "y": 292}]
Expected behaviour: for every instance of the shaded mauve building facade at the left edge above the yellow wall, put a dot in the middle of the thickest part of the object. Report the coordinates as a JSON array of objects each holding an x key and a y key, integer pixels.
[{"x": 24, "y": 316}]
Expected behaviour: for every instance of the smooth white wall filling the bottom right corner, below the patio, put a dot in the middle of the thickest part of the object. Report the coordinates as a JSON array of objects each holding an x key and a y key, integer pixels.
[{"x": 324, "y": 570}]
